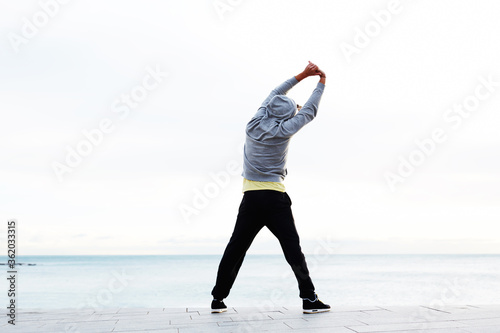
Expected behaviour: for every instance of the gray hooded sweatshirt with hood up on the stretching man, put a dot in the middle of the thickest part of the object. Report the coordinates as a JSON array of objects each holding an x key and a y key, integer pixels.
[{"x": 269, "y": 132}]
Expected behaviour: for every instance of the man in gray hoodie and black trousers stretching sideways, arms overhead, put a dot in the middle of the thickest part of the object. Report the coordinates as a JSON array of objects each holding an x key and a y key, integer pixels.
[{"x": 265, "y": 202}]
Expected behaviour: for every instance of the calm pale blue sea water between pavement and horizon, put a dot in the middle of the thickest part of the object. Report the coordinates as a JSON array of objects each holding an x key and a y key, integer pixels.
[{"x": 187, "y": 280}]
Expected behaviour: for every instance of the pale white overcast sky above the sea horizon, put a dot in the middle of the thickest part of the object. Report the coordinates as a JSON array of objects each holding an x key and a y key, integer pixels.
[{"x": 122, "y": 123}]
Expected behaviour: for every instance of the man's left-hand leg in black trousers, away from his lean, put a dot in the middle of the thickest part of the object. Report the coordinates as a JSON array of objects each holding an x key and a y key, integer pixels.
[{"x": 248, "y": 224}]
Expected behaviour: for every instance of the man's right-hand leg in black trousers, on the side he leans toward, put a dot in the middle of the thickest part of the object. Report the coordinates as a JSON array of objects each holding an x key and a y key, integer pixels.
[{"x": 282, "y": 225}]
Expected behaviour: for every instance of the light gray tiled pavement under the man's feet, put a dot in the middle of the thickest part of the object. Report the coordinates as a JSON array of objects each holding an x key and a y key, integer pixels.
[{"x": 348, "y": 319}]
